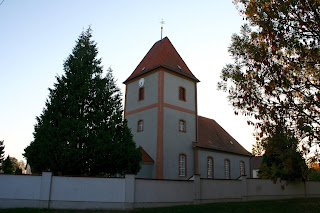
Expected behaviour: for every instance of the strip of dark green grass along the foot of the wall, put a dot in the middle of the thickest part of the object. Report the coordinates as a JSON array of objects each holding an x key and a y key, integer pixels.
[{"x": 296, "y": 205}]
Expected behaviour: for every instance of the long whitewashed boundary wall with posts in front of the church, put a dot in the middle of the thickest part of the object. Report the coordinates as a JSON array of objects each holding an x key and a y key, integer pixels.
[{"x": 47, "y": 191}]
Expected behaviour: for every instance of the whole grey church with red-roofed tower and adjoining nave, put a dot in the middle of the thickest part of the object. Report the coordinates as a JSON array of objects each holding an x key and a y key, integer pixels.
[{"x": 161, "y": 109}]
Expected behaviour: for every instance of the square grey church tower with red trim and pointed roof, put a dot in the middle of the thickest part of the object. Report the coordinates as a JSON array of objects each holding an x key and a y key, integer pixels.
[{"x": 161, "y": 109}]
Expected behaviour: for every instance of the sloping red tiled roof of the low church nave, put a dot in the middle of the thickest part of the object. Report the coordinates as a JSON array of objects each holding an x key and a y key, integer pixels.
[{"x": 212, "y": 136}]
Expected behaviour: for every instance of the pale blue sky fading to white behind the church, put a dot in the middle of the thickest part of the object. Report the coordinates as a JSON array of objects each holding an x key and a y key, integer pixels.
[{"x": 37, "y": 36}]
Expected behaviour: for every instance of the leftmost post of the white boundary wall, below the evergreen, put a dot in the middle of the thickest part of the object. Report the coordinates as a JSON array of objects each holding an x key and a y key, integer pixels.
[{"x": 45, "y": 189}]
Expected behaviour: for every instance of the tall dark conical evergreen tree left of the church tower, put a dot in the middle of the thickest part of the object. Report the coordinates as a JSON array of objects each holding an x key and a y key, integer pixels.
[{"x": 81, "y": 130}]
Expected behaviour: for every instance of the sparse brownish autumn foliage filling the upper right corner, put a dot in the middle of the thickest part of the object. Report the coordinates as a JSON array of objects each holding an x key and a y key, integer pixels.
[{"x": 275, "y": 76}]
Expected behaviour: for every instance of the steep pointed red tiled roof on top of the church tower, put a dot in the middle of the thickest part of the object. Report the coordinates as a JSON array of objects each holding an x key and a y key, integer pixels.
[{"x": 162, "y": 54}]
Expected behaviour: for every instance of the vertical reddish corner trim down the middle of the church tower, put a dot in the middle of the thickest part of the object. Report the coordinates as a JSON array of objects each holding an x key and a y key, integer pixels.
[{"x": 159, "y": 156}]
